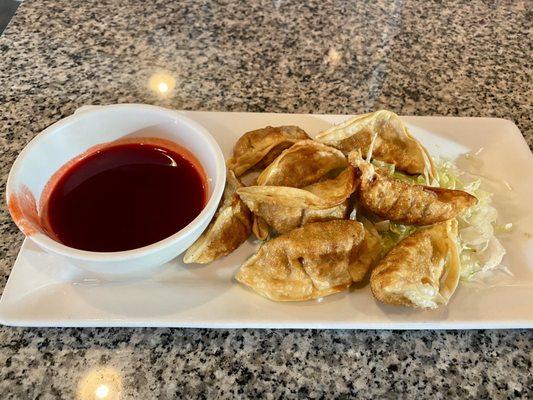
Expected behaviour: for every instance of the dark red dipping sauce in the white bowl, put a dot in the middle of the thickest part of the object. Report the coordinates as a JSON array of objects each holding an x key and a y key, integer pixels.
[{"x": 125, "y": 196}]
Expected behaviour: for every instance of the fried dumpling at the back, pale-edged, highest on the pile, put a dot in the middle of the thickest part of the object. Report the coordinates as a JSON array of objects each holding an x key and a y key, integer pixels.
[{"x": 384, "y": 133}]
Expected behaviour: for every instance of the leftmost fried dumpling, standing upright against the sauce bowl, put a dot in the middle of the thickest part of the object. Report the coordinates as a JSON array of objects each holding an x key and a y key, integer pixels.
[{"x": 230, "y": 227}]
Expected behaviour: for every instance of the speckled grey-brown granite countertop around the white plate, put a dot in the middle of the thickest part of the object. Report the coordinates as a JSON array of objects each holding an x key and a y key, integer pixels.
[{"x": 469, "y": 58}]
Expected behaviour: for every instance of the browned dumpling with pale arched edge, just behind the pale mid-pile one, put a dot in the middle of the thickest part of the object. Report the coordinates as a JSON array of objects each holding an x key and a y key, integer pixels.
[{"x": 303, "y": 164}]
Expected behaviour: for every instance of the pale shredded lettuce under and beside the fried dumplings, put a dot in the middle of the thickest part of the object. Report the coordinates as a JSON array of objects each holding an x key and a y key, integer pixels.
[{"x": 480, "y": 250}]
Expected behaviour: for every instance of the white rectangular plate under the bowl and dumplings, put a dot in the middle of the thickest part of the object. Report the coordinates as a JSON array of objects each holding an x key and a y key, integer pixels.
[{"x": 43, "y": 290}]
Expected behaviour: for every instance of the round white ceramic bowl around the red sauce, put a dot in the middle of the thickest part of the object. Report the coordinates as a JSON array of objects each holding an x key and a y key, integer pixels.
[{"x": 71, "y": 136}]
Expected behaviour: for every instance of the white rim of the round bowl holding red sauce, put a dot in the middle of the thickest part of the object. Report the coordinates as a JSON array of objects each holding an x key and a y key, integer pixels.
[{"x": 51, "y": 245}]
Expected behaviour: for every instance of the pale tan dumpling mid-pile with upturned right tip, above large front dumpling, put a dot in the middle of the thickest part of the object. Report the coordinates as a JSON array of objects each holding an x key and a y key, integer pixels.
[{"x": 285, "y": 208}]
